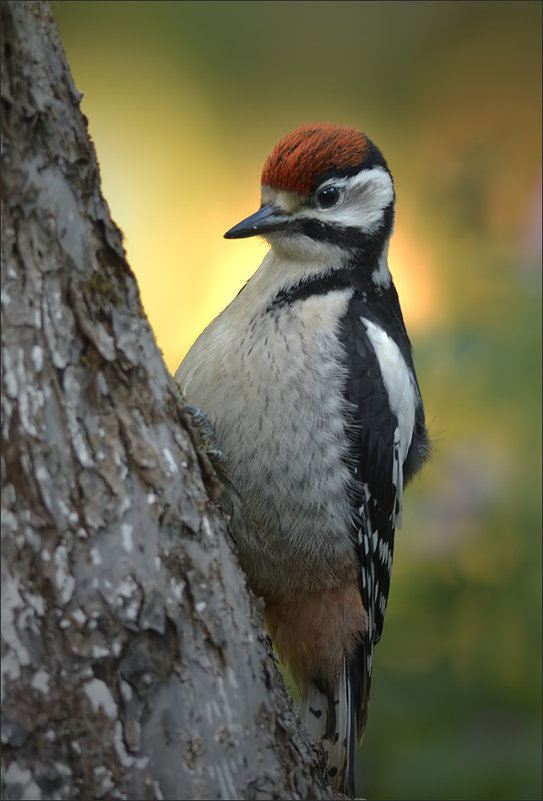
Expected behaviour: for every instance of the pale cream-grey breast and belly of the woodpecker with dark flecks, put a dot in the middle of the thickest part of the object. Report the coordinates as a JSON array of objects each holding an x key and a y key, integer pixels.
[{"x": 275, "y": 397}]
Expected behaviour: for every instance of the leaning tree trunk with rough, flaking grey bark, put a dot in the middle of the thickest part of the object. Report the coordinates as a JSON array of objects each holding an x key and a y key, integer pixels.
[{"x": 134, "y": 660}]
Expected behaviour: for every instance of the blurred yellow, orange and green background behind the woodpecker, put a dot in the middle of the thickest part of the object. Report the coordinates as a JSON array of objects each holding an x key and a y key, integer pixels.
[{"x": 184, "y": 102}]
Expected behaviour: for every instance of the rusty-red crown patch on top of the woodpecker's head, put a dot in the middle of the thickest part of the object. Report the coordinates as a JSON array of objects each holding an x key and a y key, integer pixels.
[{"x": 301, "y": 159}]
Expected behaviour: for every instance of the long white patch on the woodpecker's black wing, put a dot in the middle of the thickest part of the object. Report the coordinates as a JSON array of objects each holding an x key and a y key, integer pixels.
[{"x": 402, "y": 398}]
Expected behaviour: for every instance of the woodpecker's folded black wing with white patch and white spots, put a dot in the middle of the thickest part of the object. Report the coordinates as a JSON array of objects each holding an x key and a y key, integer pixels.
[{"x": 383, "y": 398}]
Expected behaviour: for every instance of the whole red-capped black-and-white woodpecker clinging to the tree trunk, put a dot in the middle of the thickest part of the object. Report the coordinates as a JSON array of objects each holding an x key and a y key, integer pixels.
[{"x": 306, "y": 389}]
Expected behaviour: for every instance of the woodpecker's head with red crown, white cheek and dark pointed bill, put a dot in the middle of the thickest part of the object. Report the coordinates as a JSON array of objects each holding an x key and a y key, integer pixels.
[{"x": 324, "y": 187}]
